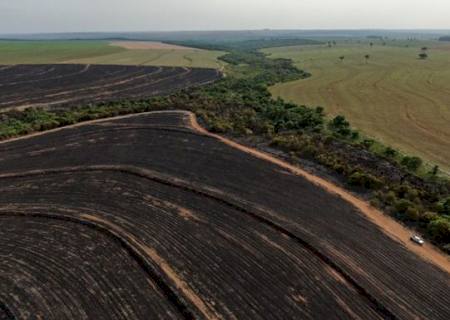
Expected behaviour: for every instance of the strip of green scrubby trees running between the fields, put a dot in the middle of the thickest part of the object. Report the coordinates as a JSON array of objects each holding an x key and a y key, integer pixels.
[{"x": 241, "y": 106}]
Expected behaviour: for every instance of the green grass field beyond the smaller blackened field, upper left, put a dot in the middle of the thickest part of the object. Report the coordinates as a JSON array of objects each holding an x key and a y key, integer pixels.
[{"x": 100, "y": 52}]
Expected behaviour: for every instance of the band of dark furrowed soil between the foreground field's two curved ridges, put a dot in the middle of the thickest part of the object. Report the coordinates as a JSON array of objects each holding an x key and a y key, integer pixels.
[{"x": 212, "y": 248}]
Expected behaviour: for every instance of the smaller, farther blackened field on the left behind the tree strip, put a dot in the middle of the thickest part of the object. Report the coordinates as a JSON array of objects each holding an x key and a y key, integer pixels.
[{"x": 23, "y": 86}]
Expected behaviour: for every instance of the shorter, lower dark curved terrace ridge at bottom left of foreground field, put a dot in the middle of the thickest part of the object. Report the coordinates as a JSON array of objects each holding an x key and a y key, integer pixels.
[{"x": 134, "y": 251}]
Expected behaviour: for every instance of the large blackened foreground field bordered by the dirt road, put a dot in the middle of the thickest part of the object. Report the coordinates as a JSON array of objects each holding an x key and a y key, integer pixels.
[{"x": 147, "y": 216}]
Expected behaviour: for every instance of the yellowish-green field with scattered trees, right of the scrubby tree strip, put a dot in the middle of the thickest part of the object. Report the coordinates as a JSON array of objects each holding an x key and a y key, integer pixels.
[{"x": 393, "y": 96}]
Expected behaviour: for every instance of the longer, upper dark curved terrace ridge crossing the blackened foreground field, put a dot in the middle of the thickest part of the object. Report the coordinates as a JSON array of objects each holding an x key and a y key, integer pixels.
[{"x": 257, "y": 213}]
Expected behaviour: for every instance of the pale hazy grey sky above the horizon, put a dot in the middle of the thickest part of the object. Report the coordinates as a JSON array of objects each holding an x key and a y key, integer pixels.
[{"x": 36, "y": 16}]
